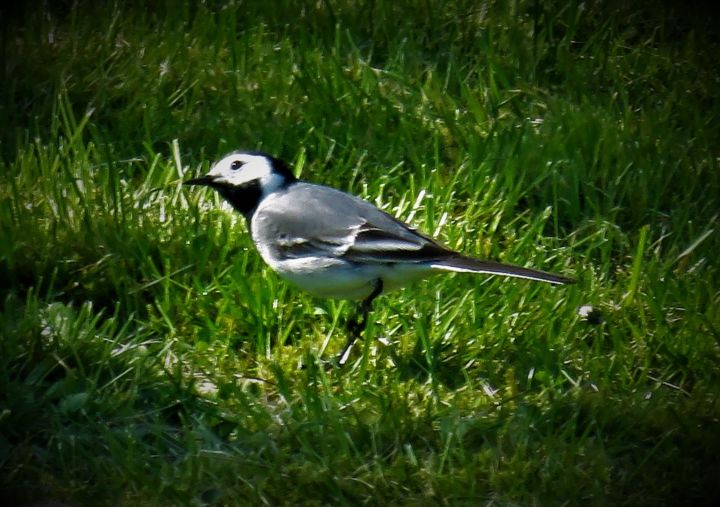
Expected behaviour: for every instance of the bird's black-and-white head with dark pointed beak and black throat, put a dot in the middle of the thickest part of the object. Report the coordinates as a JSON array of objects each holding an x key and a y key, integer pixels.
[{"x": 244, "y": 178}]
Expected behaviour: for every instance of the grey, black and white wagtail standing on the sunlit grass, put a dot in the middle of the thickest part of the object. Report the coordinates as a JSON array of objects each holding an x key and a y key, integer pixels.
[{"x": 333, "y": 244}]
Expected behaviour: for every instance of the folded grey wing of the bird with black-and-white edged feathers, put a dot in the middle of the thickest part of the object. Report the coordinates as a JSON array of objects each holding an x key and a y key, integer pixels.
[{"x": 313, "y": 220}]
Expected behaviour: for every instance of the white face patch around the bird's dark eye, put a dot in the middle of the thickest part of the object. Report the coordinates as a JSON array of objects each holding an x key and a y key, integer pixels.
[{"x": 239, "y": 169}]
